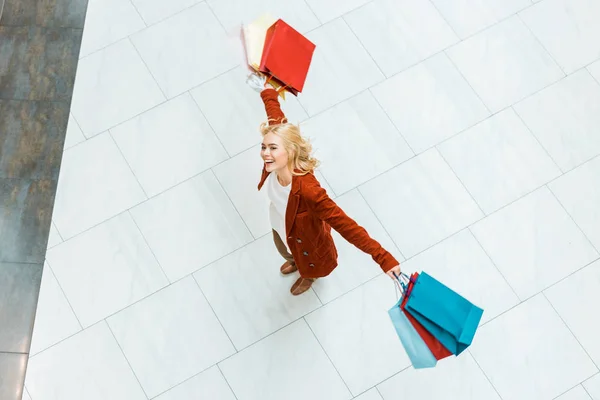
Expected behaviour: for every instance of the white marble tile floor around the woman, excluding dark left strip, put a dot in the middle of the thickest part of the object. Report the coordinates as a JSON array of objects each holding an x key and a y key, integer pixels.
[{"x": 463, "y": 134}]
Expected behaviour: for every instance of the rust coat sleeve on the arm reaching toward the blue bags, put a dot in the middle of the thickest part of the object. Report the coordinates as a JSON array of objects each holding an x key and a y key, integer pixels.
[{"x": 327, "y": 210}]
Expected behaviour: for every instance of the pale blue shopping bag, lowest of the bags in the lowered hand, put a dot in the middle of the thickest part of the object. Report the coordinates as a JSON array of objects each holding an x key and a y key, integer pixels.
[{"x": 417, "y": 350}]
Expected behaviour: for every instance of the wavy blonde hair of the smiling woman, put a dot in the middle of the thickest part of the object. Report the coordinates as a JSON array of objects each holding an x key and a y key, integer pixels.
[{"x": 298, "y": 148}]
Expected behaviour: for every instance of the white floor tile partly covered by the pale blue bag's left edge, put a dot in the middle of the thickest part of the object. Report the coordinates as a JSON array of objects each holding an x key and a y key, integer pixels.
[{"x": 356, "y": 332}]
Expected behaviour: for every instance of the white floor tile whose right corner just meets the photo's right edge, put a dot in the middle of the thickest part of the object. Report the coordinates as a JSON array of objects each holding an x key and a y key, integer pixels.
[{"x": 530, "y": 253}]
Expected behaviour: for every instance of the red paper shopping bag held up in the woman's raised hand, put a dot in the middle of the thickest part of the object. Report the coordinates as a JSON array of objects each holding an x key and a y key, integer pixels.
[{"x": 287, "y": 55}]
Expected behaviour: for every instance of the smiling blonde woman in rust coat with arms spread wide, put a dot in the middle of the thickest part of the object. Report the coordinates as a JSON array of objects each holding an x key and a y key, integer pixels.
[{"x": 301, "y": 212}]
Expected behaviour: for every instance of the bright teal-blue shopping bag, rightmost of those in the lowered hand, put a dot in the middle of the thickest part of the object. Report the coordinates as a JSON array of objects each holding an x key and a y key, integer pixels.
[{"x": 448, "y": 316}]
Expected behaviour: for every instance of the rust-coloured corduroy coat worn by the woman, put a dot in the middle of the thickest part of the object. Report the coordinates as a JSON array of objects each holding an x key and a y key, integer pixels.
[{"x": 311, "y": 214}]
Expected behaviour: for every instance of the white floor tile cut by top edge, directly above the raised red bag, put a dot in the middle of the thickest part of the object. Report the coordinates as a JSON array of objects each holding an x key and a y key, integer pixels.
[{"x": 233, "y": 13}]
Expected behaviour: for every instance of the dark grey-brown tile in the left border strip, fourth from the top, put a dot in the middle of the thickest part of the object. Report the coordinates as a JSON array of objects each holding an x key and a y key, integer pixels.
[{"x": 25, "y": 211}]
